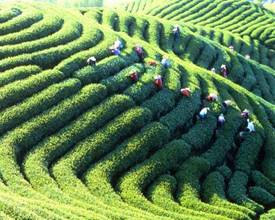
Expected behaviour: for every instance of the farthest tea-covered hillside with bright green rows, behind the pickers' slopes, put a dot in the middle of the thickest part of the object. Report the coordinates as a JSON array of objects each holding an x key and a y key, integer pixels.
[{"x": 238, "y": 17}]
